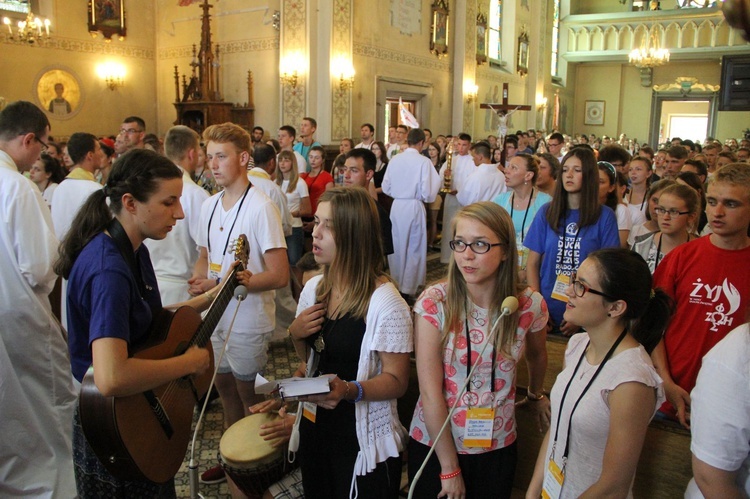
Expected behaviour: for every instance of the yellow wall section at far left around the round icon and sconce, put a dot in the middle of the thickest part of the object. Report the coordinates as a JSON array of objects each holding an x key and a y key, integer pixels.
[{"x": 73, "y": 49}]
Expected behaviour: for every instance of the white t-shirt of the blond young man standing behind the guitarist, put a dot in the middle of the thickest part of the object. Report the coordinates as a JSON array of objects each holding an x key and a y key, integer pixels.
[{"x": 257, "y": 218}]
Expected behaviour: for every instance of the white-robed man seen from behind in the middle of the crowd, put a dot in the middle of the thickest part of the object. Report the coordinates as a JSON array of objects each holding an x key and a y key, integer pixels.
[{"x": 411, "y": 181}]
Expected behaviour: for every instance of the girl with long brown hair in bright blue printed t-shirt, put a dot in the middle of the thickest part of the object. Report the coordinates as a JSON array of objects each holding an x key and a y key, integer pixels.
[{"x": 566, "y": 230}]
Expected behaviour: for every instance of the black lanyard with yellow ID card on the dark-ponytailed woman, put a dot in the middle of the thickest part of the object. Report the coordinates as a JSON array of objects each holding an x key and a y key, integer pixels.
[{"x": 554, "y": 476}]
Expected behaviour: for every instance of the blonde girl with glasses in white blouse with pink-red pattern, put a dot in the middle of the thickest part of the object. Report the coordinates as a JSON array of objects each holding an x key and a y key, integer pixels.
[{"x": 455, "y": 320}]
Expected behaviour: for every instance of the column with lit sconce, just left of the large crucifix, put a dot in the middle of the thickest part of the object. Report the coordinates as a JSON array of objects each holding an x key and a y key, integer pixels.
[{"x": 464, "y": 65}]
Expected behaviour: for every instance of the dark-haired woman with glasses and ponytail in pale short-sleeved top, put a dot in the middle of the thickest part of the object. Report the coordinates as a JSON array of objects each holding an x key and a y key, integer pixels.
[{"x": 608, "y": 391}]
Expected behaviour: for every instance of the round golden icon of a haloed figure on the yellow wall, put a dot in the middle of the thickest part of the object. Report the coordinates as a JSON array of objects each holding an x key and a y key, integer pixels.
[{"x": 58, "y": 92}]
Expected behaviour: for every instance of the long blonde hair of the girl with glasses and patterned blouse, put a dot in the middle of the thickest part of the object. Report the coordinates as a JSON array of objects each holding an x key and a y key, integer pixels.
[{"x": 499, "y": 222}]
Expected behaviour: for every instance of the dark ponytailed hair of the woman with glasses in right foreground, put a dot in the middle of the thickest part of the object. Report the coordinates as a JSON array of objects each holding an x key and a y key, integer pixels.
[{"x": 624, "y": 275}]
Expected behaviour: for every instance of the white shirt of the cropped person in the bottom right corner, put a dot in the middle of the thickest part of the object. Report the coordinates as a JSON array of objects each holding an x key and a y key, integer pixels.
[{"x": 720, "y": 409}]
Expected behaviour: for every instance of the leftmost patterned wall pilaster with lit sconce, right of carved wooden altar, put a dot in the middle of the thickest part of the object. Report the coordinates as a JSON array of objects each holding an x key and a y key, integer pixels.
[{"x": 293, "y": 61}]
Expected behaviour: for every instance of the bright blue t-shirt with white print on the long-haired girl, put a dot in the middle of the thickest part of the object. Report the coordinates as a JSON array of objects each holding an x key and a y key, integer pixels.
[{"x": 563, "y": 252}]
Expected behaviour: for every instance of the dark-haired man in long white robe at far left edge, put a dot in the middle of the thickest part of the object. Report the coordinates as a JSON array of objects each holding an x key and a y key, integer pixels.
[{"x": 36, "y": 390}]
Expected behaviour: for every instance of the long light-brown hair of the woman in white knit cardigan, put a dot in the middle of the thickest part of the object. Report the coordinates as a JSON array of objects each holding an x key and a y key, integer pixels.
[{"x": 358, "y": 264}]
